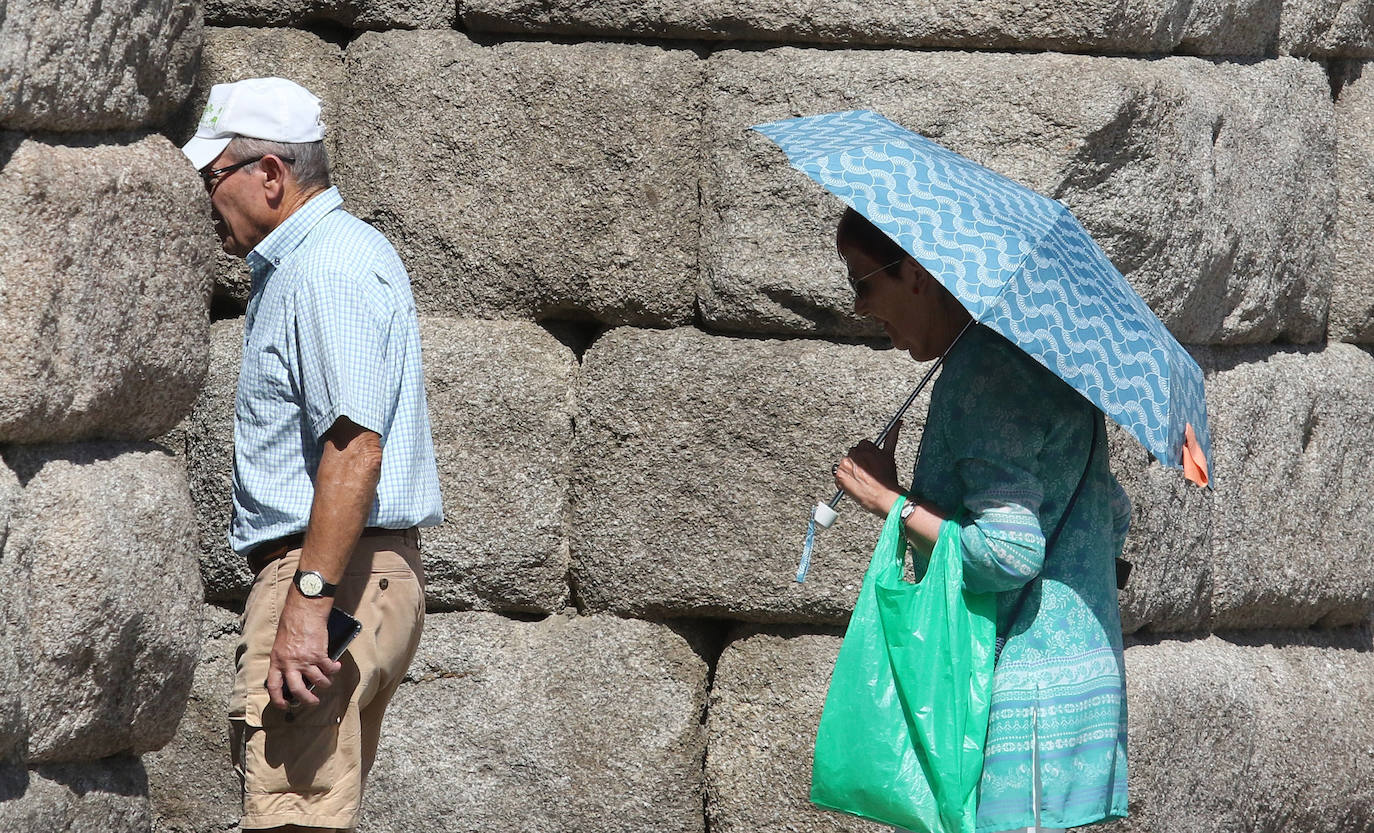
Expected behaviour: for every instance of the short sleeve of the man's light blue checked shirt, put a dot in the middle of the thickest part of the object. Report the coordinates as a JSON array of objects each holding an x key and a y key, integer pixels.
[{"x": 341, "y": 342}]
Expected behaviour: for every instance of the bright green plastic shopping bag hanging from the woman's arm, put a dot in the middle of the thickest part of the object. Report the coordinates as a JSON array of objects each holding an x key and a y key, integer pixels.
[{"x": 906, "y": 718}]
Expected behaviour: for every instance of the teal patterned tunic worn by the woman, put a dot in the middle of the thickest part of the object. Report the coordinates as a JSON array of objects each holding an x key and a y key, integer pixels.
[{"x": 1006, "y": 443}]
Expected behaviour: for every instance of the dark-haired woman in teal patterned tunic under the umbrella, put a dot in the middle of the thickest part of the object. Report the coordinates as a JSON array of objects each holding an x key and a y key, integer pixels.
[{"x": 1005, "y": 449}]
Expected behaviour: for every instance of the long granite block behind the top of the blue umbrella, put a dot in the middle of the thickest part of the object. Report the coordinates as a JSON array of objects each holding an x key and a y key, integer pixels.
[{"x": 1210, "y": 185}]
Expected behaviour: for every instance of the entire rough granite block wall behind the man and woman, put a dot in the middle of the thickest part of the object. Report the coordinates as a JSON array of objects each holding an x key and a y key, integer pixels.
[{"x": 642, "y": 362}]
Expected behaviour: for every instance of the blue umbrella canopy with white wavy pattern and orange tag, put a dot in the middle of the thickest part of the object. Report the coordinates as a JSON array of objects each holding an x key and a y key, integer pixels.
[{"x": 1022, "y": 265}]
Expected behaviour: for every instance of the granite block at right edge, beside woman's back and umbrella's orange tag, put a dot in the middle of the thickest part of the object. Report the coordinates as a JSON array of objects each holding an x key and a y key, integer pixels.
[{"x": 1280, "y": 540}]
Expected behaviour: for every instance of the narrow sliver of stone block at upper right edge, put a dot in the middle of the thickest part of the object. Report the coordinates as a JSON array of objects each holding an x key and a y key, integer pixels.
[{"x": 1353, "y": 282}]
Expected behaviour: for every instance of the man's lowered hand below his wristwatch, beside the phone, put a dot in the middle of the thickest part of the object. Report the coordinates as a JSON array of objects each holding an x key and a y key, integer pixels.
[{"x": 300, "y": 654}]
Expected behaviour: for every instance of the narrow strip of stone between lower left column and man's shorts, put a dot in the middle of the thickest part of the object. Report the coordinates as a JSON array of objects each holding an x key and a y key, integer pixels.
[{"x": 192, "y": 786}]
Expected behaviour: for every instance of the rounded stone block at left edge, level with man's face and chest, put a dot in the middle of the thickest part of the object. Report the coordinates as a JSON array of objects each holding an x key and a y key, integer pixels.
[{"x": 105, "y": 276}]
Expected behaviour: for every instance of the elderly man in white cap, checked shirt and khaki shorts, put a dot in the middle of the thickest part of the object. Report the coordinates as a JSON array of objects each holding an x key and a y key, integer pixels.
[{"x": 333, "y": 460}]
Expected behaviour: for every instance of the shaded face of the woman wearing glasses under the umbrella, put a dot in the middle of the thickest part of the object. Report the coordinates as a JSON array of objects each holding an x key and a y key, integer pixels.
[{"x": 908, "y": 306}]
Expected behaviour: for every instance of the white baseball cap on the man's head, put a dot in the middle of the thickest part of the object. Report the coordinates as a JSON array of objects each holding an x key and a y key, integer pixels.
[{"x": 271, "y": 109}]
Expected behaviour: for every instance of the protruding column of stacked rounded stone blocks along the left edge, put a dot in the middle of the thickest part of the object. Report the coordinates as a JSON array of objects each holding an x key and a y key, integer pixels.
[{"x": 105, "y": 282}]
